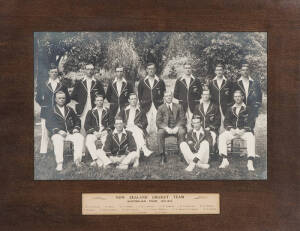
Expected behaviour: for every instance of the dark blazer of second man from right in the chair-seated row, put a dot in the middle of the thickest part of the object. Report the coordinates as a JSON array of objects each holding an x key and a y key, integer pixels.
[{"x": 211, "y": 119}]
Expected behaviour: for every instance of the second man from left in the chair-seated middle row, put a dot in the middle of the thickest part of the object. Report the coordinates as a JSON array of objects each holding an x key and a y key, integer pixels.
[{"x": 97, "y": 123}]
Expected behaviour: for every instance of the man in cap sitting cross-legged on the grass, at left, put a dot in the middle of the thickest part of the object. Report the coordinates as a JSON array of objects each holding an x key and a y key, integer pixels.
[{"x": 119, "y": 148}]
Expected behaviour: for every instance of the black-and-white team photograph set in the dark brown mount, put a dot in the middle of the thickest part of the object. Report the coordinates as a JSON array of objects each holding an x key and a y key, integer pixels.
[{"x": 150, "y": 105}]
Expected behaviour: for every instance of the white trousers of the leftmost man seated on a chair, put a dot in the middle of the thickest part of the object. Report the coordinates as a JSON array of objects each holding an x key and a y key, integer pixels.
[{"x": 58, "y": 143}]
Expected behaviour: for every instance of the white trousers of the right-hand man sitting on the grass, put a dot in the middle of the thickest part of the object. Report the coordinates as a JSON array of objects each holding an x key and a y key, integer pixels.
[{"x": 202, "y": 154}]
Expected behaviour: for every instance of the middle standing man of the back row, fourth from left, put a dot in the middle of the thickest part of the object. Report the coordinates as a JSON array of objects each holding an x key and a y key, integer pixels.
[{"x": 151, "y": 93}]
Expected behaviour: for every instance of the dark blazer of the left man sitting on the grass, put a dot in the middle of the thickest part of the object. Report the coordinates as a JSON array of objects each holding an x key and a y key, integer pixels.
[{"x": 115, "y": 147}]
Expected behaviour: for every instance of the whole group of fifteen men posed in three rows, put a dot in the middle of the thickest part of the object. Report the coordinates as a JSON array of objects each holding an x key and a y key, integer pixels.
[{"x": 205, "y": 117}]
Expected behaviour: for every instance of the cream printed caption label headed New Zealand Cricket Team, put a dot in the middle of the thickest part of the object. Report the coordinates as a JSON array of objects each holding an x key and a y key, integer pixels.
[{"x": 150, "y": 203}]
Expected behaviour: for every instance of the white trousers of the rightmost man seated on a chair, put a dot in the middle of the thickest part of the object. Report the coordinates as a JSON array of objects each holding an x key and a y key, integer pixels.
[{"x": 227, "y": 136}]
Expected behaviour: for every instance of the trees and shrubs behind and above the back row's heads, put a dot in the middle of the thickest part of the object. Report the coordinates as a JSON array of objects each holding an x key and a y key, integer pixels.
[{"x": 168, "y": 50}]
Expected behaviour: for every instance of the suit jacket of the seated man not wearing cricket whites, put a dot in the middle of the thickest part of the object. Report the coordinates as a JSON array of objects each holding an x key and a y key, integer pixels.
[{"x": 163, "y": 115}]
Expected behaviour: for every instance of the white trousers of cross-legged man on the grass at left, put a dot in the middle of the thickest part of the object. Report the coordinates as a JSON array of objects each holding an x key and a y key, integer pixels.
[{"x": 124, "y": 159}]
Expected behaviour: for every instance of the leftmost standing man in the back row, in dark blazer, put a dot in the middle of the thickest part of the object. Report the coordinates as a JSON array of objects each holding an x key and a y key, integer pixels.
[{"x": 45, "y": 97}]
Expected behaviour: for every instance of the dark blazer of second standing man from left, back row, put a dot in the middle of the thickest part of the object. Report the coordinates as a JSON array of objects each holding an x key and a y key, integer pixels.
[{"x": 79, "y": 93}]
